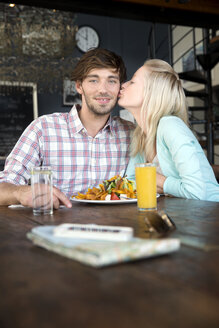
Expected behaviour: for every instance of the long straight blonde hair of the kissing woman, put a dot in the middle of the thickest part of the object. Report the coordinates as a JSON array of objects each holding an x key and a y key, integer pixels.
[{"x": 163, "y": 96}]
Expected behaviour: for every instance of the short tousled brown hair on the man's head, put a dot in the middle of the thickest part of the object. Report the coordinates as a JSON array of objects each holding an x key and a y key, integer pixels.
[{"x": 98, "y": 58}]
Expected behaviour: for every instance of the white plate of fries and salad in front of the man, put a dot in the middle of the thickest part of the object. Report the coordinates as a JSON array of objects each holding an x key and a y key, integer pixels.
[{"x": 116, "y": 190}]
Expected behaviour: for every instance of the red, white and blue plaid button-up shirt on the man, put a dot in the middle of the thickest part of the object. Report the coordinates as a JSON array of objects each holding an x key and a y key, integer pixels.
[{"x": 78, "y": 160}]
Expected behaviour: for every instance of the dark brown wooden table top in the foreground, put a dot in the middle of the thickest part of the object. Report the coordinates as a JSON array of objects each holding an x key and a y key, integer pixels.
[{"x": 42, "y": 289}]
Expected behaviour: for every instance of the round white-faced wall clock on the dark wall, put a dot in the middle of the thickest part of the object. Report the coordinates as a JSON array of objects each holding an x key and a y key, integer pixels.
[{"x": 86, "y": 38}]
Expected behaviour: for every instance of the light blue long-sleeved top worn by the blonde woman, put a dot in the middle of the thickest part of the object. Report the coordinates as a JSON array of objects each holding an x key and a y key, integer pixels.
[{"x": 183, "y": 161}]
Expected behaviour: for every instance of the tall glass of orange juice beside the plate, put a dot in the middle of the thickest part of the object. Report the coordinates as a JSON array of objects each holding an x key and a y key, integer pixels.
[{"x": 145, "y": 175}]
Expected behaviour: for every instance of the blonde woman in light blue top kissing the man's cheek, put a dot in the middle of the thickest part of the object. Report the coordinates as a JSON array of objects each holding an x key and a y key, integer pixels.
[{"x": 156, "y": 99}]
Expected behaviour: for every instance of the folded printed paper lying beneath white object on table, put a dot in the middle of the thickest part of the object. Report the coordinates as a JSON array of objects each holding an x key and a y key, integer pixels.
[{"x": 99, "y": 253}]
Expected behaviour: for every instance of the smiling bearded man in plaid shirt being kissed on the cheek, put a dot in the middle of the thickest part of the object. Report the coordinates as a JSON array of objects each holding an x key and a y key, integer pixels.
[{"x": 83, "y": 147}]
